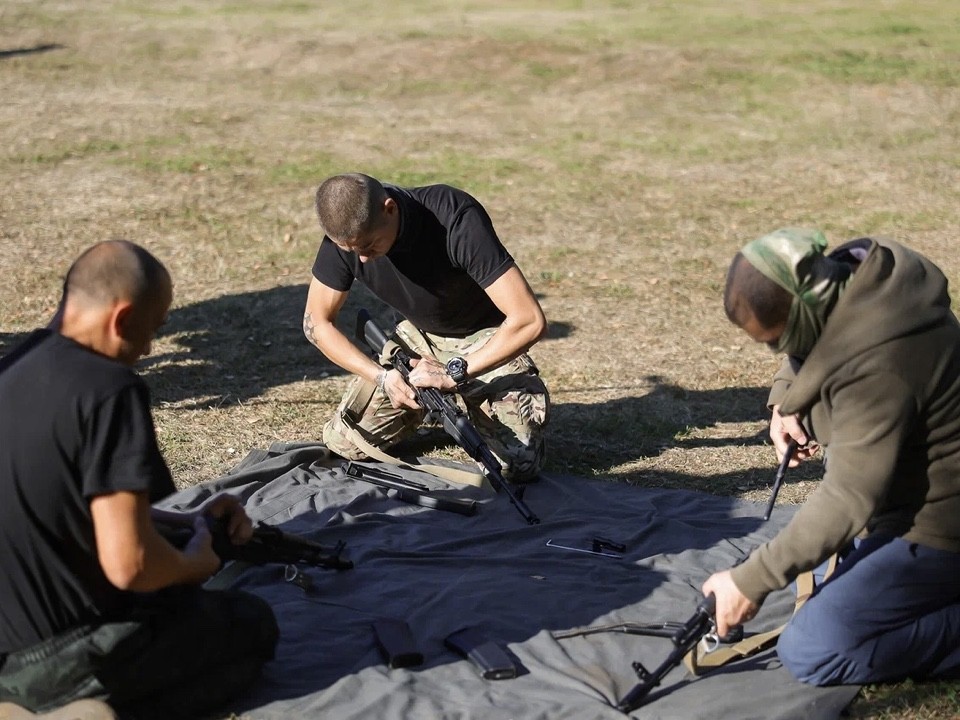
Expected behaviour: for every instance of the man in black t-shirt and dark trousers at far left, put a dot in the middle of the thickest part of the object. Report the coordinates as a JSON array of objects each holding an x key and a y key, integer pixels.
[{"x": 94, "y": 602}]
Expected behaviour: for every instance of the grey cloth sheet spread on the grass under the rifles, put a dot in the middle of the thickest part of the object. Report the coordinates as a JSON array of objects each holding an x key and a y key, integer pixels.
[{"x": 442, "y": 571}]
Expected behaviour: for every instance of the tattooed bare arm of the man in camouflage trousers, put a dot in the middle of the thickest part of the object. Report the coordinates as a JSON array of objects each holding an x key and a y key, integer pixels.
[{"x": 319, "y": 326}]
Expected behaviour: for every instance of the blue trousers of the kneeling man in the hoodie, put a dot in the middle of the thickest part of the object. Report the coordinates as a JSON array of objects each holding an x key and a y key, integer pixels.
[{"x": 891, "y": 611}]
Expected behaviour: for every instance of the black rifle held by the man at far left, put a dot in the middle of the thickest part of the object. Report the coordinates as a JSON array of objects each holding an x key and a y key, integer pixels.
[{"x": 268, "y": 544}]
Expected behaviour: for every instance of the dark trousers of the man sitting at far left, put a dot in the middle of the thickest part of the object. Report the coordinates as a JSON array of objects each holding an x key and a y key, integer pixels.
[{"x": 181, "y": 653}]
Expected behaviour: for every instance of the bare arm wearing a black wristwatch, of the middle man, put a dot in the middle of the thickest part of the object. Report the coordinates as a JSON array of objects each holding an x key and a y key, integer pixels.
[{"x": 523, "y": 326}]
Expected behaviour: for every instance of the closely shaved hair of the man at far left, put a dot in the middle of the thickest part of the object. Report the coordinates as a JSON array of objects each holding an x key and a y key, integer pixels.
[{"x": 114, "y": 270}]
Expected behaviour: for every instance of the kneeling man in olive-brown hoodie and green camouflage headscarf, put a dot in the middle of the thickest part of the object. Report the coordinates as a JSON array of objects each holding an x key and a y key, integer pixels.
[{"x": 872, "y": 375}]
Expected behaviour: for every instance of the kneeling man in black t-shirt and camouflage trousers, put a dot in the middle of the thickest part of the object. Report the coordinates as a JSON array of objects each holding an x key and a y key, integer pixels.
[{"x": 431, "y": 253}]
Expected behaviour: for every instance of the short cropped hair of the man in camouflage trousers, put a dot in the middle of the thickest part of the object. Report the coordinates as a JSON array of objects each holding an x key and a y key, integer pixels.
[{"x": 349, "y": 206}]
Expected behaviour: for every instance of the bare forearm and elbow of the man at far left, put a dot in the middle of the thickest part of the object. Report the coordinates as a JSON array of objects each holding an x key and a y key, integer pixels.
[{"x": 134, "y": 556}]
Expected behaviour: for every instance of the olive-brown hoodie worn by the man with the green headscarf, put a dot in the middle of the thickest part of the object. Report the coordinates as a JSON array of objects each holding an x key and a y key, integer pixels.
[{"x": 880, "y": 390}]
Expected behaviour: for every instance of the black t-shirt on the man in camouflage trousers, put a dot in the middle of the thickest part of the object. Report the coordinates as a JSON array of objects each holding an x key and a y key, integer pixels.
[{"x": 435, "y": 275}]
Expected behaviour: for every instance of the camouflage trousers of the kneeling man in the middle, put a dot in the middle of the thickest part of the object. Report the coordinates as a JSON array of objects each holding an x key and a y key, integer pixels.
[{"x": 508, "y": 405}]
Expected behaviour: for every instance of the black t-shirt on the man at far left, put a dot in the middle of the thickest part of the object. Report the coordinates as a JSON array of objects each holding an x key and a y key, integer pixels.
[{"x": 73, "y": 425}]
